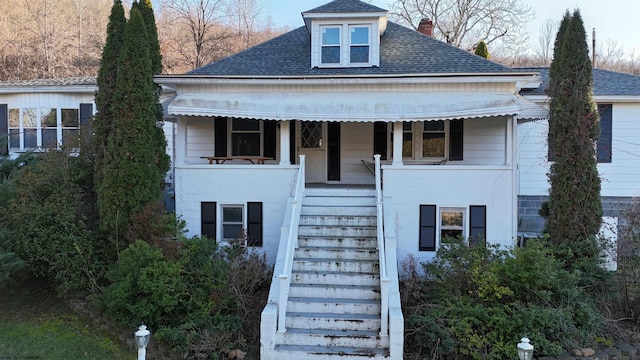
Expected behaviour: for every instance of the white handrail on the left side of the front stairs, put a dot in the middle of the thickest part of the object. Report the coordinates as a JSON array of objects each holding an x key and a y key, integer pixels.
[{"x": 292, "y": 244}]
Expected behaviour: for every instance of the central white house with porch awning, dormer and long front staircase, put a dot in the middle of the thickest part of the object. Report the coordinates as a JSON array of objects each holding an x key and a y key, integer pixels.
[{"x": 279, "y": 141}]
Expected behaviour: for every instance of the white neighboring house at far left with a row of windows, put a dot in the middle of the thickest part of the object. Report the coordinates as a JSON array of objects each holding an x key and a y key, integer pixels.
[{"x": 44, "y": 113}]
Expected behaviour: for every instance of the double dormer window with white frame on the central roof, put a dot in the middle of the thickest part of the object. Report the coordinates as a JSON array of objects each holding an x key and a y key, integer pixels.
[{"x": 348, "y": 44}]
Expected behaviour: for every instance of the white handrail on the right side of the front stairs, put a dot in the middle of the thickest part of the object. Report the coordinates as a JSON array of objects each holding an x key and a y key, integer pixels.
[{"x": 384, "y": 278}]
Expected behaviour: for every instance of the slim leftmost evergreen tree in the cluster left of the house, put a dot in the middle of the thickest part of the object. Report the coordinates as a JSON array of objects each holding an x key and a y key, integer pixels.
[{"x": 103, "y": 121}]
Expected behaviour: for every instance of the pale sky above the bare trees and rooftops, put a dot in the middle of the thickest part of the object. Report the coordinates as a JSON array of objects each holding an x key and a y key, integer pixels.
[{"x": 613, "y": 19}]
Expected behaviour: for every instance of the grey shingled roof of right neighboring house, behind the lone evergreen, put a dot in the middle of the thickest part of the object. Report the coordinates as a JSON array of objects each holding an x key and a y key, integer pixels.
[{"x": 605, "y": 83}]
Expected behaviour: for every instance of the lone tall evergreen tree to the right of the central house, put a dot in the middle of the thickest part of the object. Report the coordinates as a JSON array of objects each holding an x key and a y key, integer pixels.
[{"x": 574, "y": 211}]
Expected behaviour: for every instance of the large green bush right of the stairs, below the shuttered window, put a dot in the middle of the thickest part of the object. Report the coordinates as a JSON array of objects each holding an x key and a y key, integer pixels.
[{"x": 476, "y": 303}]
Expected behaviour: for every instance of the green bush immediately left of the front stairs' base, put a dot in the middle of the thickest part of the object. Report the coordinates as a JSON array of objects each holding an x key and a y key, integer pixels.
[{"x": 205, "y": 300}]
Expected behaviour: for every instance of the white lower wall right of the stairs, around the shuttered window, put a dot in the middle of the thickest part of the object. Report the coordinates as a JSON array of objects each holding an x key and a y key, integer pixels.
[{"x": 459, "y": 186}]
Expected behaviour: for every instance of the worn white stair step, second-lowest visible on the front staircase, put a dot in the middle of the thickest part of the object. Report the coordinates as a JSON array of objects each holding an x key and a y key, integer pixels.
[{"x": 328, "y": 337}]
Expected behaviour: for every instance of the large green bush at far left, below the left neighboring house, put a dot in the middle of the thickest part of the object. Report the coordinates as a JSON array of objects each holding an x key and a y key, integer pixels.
[{"x": 50, "y": 216}]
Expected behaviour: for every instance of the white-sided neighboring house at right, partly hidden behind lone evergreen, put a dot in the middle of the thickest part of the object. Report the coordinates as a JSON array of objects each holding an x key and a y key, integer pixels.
[{"x": 617, "y": 96}]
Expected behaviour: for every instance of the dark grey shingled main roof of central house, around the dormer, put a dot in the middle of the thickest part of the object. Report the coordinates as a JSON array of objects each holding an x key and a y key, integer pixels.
[{"x": 403, "y": 51}]
